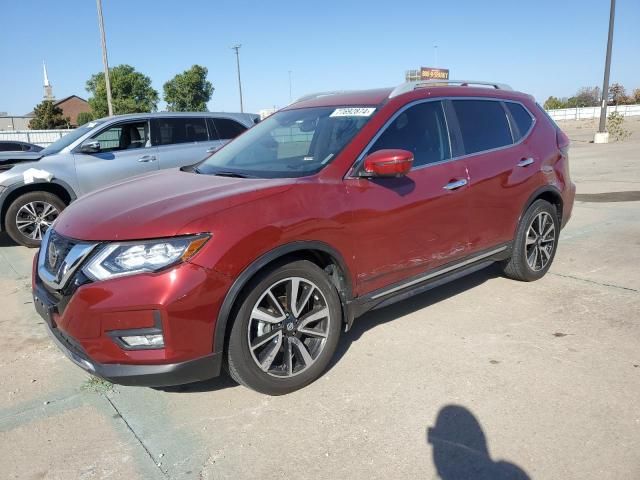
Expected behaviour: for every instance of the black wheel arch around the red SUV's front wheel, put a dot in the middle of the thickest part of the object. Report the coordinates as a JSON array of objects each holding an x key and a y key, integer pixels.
[{"x": 320, "y": 253}]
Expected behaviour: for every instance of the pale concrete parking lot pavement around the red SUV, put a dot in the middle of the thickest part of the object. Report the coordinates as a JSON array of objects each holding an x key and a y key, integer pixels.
[{"x": 484, "y": 378}]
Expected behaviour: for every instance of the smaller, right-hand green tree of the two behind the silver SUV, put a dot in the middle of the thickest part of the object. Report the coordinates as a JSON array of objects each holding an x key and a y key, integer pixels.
[{"x": 188, "y": 91}]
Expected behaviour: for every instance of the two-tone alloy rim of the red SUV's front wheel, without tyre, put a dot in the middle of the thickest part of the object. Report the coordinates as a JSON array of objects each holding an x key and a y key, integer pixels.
[{"x": 289, "y": 326}]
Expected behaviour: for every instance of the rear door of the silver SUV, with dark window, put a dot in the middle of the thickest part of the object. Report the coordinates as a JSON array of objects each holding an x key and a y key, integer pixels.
[{"x": 183, "y": 141}]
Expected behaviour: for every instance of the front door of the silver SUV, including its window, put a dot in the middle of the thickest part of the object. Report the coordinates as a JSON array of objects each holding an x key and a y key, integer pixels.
[{"x": 125, "y": 151}]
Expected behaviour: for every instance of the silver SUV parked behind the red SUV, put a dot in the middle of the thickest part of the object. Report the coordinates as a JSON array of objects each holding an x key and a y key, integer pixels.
[{"x": 36, "y": 187}]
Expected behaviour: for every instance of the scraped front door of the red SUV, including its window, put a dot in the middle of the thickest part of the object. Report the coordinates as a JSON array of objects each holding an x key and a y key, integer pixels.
[{"x": 405, "y": 226}]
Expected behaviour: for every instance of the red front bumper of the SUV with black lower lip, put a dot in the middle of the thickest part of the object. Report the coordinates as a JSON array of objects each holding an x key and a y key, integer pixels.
[{"x": 182, "y": 302}]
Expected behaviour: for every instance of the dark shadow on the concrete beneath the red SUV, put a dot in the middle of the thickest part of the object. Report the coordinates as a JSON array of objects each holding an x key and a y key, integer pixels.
[{"x": 365, "y": 323}]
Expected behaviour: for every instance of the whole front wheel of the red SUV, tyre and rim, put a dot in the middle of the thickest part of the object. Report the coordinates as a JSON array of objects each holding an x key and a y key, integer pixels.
[{"x": 286, "y": 329}]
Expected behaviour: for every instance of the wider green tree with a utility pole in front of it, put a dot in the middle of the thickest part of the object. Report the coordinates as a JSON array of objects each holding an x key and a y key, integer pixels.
[{"x": 131, "y": 92}]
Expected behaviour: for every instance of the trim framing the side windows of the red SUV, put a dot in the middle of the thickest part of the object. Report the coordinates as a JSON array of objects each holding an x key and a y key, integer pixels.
[{"x": 351, "y": 174}]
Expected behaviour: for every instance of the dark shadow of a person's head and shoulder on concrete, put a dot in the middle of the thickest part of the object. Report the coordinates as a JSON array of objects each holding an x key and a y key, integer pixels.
[{"x": 460, "y": 449}]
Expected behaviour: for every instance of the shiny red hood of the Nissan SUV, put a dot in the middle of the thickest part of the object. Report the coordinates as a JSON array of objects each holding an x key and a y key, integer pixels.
[{"x": 158, "y": 205}]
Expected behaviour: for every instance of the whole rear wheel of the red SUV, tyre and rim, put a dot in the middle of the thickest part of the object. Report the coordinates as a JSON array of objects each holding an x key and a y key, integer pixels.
[{"x": 535, "y": 244}]
